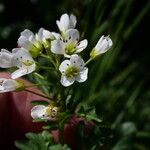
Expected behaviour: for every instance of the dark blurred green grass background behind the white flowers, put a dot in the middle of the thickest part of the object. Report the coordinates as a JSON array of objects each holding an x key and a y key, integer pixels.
[{"x": 118, "y": 83}]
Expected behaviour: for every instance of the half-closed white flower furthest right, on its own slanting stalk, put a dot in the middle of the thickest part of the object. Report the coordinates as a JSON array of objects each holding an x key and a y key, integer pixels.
[{"x": 103, "y": 45}]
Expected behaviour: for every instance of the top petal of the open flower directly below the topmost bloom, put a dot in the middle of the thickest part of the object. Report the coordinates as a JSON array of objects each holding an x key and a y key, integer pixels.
[{"x": 72, "y": 35}]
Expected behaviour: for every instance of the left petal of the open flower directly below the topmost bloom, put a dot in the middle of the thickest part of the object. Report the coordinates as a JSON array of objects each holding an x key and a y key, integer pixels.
[{"x": 57, "y": 47}]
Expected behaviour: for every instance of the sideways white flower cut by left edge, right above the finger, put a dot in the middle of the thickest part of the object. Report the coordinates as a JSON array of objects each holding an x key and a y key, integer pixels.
[{"x": 8, "y": 85}]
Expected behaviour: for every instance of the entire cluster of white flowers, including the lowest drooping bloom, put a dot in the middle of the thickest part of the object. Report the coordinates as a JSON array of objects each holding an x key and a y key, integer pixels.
[{"x": 63, "y": 51}]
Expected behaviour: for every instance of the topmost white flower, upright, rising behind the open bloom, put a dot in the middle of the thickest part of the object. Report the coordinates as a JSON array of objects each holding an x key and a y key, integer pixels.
[{"x": 66, "y": 22}]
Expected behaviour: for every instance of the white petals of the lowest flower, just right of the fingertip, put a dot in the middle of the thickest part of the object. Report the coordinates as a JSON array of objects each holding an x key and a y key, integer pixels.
[{"x": 38, "y": 112}]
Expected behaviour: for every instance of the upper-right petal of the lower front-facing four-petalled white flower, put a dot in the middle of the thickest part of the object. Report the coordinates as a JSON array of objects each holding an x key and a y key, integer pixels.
[{"x": 77, "y": 61}]
